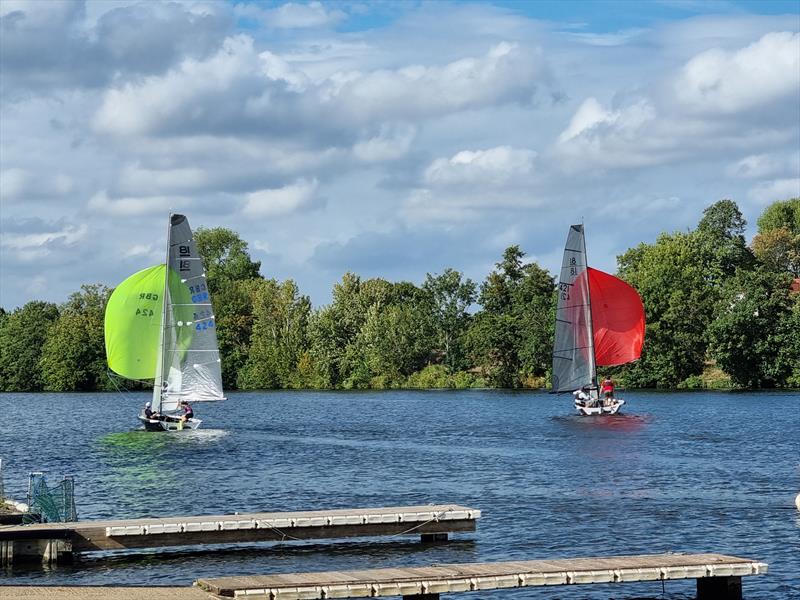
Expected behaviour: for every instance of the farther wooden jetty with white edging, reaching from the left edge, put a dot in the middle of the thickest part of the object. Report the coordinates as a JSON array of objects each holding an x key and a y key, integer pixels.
[{"x": 52, "y": 542}]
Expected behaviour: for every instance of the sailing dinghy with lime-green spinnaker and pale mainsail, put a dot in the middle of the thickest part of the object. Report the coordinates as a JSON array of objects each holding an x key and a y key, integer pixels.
[{"x": 160, "y": 325}]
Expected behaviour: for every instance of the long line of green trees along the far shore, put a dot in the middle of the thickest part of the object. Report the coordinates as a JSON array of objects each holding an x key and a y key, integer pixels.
[{"x": 719, "y": 312}]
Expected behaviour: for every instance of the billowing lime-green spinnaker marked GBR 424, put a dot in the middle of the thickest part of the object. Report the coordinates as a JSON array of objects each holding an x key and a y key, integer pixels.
[{"x": 133, "y": 321}]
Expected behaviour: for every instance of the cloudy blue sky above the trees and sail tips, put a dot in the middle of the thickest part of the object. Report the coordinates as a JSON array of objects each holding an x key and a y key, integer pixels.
[{"x": 388, "y": 139}]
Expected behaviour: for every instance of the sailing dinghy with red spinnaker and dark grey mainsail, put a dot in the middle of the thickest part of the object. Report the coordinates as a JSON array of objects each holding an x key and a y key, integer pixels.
[{"x": 599, "y": 323}]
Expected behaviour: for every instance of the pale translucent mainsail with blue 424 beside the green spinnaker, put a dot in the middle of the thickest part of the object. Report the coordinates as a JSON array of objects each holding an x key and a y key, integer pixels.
[{"x": 189, "y": 363}]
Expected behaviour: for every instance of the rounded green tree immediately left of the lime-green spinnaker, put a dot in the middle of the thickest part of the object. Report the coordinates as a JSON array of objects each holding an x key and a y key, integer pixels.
[{"x": 73, "y": 356}]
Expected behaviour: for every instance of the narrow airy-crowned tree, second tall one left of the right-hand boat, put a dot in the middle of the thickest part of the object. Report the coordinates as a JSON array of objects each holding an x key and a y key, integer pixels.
[{"x": 450, "y": 299}]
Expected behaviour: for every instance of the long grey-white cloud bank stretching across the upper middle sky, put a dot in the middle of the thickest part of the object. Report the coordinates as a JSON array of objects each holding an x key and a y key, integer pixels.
[{"x": 239, "y": 89}]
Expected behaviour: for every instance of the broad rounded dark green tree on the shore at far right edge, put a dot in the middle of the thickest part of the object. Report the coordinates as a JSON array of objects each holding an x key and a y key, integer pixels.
[{"x": 749, "y": 331}]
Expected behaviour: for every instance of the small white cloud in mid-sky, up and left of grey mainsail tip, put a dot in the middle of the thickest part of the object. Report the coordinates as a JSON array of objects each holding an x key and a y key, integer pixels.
[{"x": 494, "y": 167}]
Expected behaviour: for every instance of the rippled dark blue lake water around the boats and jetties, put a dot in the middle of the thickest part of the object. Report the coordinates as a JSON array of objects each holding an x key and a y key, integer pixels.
[{"x": 692, "y": 472}]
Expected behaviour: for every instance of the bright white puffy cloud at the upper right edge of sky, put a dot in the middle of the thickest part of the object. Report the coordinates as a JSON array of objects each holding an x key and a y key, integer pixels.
[{"x": 718, "y": 80}]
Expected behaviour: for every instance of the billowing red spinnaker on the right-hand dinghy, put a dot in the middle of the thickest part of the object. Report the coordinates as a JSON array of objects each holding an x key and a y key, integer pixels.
[{"x": 617, "y": 319}]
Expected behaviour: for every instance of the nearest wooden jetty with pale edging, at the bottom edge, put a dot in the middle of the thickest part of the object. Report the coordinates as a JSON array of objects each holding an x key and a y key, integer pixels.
[{"x": 718, "y": 577}]
